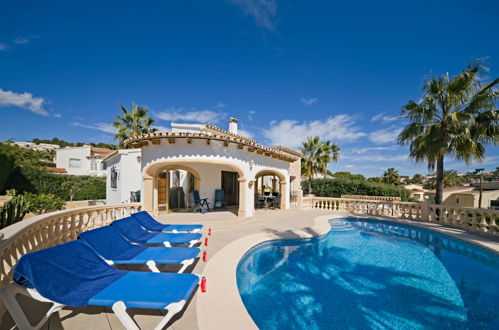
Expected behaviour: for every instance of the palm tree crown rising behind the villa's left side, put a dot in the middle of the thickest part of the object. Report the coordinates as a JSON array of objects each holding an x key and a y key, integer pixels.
[{"x": 132, "y": 123}]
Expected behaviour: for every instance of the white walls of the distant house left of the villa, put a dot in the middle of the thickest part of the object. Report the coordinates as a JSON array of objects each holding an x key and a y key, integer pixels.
[{"x": 64, "y": 157}]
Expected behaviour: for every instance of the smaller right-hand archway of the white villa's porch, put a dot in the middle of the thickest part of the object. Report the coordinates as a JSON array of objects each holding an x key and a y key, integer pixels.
[{"x": 271, "y": 189}]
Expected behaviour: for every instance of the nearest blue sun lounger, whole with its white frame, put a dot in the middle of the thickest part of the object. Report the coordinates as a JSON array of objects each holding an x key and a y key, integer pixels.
[{"x": 73, "y": 274}]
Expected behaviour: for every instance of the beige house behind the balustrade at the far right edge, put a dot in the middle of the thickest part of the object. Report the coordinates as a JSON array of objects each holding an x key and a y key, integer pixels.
[{"x": 466, "y": 197}]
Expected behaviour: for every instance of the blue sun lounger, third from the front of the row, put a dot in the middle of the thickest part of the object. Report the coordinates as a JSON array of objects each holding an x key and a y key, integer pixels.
[{"x": 132, "y": 231}]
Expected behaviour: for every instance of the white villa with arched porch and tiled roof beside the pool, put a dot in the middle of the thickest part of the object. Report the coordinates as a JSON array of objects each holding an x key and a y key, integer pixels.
[{"x": 167, "y": 166}]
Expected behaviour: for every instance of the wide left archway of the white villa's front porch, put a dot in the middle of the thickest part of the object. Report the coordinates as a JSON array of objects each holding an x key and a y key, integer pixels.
[{"x": 206, "y": 176}]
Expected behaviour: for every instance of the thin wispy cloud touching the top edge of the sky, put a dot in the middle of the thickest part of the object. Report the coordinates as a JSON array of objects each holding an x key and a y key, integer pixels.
[{"x": 263, "y": 11}]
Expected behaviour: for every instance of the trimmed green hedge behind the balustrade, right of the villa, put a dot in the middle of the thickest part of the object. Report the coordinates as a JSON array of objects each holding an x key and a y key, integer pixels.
[{"x": 338, "y": 187}]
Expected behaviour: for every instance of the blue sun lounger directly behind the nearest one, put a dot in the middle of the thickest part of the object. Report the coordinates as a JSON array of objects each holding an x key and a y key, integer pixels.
[{"x": 115, "y": 249}]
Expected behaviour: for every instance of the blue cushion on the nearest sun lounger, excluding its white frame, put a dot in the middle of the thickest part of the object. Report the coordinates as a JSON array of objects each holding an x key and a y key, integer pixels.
[{"x": 74, "y": 275}]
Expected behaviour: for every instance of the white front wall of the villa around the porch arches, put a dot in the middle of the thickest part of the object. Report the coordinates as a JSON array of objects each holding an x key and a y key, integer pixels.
[{"x": 210, "y": 160}]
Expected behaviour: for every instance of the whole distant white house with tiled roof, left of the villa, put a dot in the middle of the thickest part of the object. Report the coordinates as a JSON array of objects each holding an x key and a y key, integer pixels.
[{"x": 84, "y": 160}]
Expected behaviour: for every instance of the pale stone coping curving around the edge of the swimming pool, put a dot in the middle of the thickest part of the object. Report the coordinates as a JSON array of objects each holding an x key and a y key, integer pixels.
[{"x": 221, "y": 307}]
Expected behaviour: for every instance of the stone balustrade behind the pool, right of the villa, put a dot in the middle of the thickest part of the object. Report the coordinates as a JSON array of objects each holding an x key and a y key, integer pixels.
[{"x": 471, "y": 219}]
